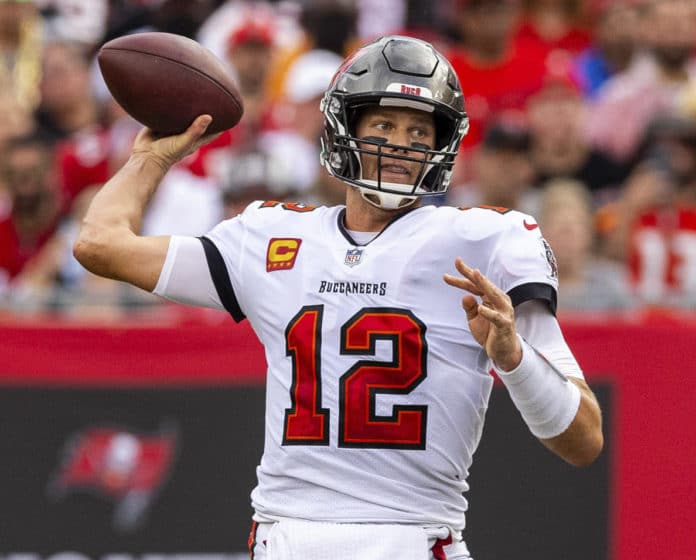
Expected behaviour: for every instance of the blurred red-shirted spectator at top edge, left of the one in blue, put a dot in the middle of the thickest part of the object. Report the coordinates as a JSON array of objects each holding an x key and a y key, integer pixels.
[{"x": 554, "y": 25}]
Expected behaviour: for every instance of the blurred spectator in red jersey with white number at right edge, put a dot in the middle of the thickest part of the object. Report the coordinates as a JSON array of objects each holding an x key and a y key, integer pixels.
[{"x": 662, "y": 239}]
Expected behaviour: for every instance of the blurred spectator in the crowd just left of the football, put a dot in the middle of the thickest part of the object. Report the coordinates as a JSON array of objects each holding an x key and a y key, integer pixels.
[{"x": 68, "y": 104}]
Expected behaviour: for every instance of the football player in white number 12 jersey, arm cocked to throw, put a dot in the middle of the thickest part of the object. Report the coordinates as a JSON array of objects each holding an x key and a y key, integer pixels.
[{"x": 382, "y": 320}]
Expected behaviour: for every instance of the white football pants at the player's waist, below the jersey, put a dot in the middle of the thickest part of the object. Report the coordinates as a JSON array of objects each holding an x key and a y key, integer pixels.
[{"x": 293, "y": 539}]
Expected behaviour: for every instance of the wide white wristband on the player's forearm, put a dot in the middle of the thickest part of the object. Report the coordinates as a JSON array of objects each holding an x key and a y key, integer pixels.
[{"x": 546, "y": 399}]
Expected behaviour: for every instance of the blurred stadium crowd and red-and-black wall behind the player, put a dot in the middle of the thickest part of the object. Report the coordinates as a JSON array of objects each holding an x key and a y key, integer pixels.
[{"x": 131, "y": 428}]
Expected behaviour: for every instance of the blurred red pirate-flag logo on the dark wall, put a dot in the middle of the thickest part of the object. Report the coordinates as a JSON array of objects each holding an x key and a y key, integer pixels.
[{"x": 127, "y": 467}]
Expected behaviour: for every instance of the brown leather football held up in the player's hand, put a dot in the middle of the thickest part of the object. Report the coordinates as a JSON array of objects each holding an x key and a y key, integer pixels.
[{"x": 165, "y": 81}]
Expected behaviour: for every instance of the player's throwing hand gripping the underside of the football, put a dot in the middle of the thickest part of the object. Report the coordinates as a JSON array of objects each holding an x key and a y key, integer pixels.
[{"x": 168, "y": 150}]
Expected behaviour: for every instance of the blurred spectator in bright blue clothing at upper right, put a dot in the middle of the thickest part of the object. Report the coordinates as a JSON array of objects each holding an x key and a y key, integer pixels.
[{"x": 615, "y": 41}]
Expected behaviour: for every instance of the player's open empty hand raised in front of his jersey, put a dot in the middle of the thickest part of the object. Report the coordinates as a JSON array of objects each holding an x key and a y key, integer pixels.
[{"x": 492, "y": 322}]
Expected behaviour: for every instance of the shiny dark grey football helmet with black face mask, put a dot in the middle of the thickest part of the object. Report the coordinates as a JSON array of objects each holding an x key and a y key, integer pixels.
[{"x": 402, "y": 72}]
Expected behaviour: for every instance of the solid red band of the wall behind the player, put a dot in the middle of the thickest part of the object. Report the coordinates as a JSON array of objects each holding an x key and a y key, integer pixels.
[{"x": 647, "y": 359}]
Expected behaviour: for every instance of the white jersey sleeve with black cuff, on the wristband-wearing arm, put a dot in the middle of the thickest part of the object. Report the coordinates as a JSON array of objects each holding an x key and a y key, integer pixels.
[{"x": 523, "y": 264}]
